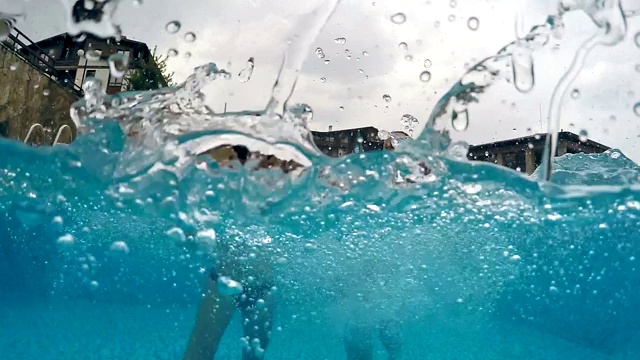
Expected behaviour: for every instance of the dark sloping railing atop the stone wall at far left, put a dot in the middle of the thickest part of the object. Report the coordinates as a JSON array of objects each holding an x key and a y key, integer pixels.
[{"x": 21, "y": 45}]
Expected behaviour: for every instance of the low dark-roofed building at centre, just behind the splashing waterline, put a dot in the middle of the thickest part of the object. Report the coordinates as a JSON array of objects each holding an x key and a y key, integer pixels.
[{"x": 343, "y": 142}]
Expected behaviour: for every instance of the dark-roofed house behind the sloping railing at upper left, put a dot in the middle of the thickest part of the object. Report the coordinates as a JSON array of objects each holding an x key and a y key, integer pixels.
[{"x": 87, "y": 56}]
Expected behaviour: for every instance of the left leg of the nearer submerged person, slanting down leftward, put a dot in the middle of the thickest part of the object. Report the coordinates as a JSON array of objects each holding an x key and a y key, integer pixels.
[{"x": 214, "y": 314}]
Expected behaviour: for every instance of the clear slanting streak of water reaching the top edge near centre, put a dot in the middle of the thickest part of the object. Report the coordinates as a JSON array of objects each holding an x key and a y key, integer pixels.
[{"x": 313, "y": 23}]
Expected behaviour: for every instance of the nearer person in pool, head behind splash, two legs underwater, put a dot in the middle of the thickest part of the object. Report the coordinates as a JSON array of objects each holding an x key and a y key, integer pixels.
[{"x": 254, "y": 297}]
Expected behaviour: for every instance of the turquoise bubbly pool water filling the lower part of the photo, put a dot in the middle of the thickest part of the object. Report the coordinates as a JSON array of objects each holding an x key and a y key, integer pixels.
[{"x": 475, "y": 261}]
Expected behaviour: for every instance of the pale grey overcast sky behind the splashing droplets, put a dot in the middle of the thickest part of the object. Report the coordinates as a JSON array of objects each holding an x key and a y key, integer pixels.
[{"x": 229, "y": 32}]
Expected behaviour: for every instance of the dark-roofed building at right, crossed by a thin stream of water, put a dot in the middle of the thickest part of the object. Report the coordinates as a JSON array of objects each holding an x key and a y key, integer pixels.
[{"x": 525, "y": 154}]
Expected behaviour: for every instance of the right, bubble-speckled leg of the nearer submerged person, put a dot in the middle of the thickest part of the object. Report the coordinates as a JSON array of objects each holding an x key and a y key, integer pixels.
[{"x": 256, "y": 306}]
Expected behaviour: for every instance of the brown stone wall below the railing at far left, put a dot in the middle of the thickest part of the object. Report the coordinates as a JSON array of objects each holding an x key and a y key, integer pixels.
[{"x": 28, "y": 97}]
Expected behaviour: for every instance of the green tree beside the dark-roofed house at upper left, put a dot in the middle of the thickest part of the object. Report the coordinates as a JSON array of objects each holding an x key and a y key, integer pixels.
[{"x": 150, "y": 75}]
